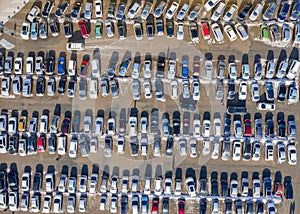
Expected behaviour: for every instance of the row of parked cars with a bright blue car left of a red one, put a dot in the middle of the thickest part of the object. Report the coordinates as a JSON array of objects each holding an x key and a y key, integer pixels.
[{"x": 39, "y": 65}]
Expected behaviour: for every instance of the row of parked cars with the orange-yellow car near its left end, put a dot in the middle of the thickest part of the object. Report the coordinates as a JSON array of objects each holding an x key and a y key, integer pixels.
[{"x": 135, "y": 125}]
